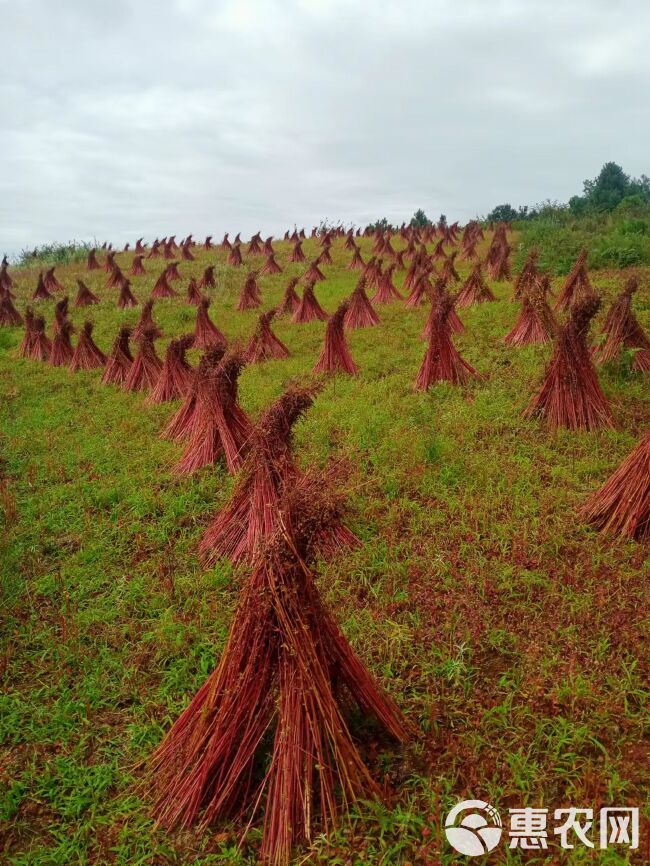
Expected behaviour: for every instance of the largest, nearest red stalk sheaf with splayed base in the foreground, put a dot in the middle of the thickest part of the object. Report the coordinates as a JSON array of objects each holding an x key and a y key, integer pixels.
[{"x": 283, "y": 667}]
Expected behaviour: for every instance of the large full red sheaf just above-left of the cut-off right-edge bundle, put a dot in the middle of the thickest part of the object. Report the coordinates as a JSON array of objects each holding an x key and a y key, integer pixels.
[{"x": 570, "y": 395}]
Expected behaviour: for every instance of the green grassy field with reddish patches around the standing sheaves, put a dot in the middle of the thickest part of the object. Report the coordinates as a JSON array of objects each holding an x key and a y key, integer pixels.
[{"x": 514, "y": 638}]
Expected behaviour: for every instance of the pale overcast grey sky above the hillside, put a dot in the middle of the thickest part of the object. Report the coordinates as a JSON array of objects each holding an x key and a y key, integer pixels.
[{"x": 137, "y": 118}]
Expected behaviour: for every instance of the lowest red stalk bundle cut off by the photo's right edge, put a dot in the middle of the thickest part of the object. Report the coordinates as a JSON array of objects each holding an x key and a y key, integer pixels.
[{"x": 622, "y": 505}]
